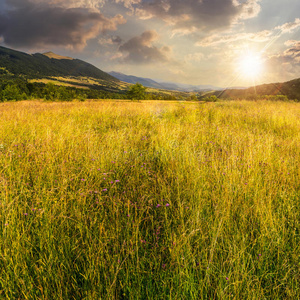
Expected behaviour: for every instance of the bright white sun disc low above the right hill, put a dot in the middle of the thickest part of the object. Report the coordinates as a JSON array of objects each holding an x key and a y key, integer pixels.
[{"x": 251, "y": 65}]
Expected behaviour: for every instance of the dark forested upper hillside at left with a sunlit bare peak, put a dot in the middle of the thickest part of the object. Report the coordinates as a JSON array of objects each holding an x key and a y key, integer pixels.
[{"x": 41, "y": 65}]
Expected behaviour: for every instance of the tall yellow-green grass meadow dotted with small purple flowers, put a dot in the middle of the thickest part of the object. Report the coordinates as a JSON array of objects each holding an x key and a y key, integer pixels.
[{"x": 150, "y": 200}]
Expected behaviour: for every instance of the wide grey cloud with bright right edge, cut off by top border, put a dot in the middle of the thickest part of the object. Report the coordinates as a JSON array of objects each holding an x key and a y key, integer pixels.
[{"x": 188, "y": 16}]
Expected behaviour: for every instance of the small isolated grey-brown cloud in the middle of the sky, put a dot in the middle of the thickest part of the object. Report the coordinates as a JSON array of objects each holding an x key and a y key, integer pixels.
[{"x": 140, "y": 50}]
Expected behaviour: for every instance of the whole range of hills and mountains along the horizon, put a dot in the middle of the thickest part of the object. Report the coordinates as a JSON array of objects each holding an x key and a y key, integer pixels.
[{"x": 53, "y": 66}]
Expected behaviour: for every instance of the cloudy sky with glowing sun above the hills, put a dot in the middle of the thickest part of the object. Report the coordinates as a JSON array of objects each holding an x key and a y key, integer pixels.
[{"x": 224, "y": 43}]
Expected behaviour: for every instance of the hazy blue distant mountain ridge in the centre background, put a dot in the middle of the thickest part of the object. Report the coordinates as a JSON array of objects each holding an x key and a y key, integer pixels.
[{"x": 163, "y": 85}]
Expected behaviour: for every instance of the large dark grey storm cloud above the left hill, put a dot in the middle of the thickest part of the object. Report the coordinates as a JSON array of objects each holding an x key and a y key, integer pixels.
[{"x": 26, "y": 24}]
